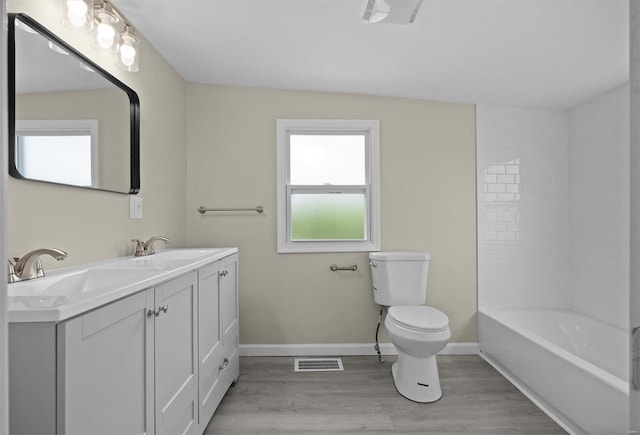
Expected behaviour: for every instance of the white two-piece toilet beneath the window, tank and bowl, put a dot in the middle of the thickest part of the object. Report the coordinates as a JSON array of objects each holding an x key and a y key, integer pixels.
[{"x": 417, "y": 331}]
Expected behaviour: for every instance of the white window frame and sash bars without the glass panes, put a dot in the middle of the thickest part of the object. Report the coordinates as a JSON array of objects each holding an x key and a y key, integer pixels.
[{"x": 371, "y": 189}]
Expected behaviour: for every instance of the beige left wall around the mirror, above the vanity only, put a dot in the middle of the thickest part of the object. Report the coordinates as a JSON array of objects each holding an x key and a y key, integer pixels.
[{"x": 92, "y": 225}]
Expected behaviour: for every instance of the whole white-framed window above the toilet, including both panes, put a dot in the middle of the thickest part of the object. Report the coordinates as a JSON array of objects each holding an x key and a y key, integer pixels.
[{"x": 328, "y": 185}]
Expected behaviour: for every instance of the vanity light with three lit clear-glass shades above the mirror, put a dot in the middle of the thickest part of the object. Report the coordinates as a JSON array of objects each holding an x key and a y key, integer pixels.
[{"x": 113, "y": 33}]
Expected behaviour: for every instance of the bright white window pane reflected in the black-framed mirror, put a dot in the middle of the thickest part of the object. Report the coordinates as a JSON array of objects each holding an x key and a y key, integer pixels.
[{"x": 61, "y": 159}]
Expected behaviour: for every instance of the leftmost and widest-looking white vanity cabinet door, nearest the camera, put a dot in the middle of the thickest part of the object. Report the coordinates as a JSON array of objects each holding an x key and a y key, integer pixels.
[{"x": 105, "y": 384}]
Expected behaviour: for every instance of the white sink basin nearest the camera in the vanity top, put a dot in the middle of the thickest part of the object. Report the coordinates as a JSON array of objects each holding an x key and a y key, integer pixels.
[{"x": 82, "y": 281}]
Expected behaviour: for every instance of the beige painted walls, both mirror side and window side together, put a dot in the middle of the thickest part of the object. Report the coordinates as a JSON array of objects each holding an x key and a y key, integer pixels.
[{"x": 428, "y": 198}]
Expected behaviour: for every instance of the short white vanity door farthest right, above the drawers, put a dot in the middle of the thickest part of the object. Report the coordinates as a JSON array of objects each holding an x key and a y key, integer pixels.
[{"x": 229, "y": 297}]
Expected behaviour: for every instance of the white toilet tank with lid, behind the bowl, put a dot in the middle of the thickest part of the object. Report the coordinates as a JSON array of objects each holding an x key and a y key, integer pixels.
[{"x": 399, "y": 277}]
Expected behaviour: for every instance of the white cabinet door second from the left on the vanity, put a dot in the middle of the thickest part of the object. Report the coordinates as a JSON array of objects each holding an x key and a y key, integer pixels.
[{"x": 175, "y": 348}]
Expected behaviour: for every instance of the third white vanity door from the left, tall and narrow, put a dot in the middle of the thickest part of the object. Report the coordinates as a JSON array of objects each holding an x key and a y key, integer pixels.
[{"x": 209, "y": 338}]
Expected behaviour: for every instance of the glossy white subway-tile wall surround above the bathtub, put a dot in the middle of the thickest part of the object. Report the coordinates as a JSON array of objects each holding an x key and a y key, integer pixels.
[{"x": 553, "y": 207}]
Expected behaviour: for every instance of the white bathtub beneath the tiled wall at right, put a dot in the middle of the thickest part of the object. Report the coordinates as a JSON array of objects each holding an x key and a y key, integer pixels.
[{"x": 573, "y": 367}]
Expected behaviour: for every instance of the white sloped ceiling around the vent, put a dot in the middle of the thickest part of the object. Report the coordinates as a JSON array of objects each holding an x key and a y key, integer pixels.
[{"x": 514, "y": 52}]
